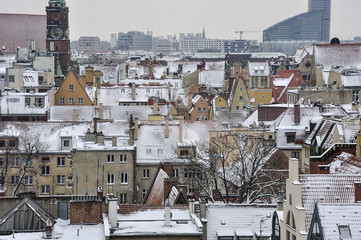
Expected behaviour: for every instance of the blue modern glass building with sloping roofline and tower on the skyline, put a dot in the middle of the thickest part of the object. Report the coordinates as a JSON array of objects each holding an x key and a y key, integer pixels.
[{"x": 313, "y": 25}]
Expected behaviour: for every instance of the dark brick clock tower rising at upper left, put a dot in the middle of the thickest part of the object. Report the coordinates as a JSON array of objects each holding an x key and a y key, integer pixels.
[{"x": 57, "y": 36}]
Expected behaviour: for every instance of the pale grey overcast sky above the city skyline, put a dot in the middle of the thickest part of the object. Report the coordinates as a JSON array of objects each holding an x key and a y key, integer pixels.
[{"x": 221, "y": 18}]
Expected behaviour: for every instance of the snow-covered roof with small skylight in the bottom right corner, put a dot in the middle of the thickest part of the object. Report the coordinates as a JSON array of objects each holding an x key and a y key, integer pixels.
[{"x": 332, "y": 215}]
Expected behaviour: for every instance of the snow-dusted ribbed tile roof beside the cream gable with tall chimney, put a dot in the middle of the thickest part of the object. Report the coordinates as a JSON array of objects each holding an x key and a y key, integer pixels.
[{"x": 326, "y": 188}]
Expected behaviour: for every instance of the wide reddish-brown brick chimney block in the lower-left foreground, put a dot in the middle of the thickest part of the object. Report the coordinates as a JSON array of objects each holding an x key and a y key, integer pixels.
[{"x": 87, "y": 212}]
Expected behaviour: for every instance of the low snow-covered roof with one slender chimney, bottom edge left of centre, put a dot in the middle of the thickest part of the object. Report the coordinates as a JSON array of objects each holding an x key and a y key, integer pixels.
[{"x": 151, "y": 223}]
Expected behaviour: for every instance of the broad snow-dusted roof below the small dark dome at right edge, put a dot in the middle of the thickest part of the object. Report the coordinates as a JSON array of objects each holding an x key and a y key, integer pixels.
[{"x": 332, "y": 55}]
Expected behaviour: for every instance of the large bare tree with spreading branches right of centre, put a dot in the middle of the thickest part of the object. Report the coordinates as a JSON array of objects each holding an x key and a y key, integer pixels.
[{"x": 235, "y": 165}]
